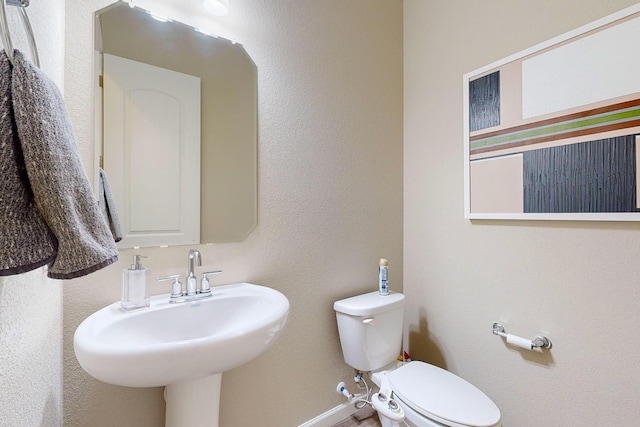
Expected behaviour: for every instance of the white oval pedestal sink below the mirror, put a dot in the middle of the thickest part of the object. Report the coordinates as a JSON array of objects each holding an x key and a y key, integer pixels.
[{"x": 185, "y": 347}]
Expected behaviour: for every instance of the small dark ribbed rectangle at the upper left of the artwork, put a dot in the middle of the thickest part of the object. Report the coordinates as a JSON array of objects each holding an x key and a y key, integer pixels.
[{"x": 484, "y": 101}]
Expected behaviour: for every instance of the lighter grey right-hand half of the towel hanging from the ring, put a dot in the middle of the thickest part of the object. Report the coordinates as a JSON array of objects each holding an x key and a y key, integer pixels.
[{"x": 60, "y": 187}]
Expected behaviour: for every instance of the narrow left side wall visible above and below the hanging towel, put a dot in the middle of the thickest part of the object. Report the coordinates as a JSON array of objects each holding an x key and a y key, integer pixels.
[{"x": 31, "y": 304}]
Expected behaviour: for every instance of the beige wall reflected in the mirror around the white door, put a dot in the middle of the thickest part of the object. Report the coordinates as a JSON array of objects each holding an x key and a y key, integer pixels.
[{"x": 228, "y": 111}]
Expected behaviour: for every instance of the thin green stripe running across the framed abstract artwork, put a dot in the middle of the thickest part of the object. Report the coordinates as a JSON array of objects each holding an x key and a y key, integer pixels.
[{"x": 558, "y": 128}]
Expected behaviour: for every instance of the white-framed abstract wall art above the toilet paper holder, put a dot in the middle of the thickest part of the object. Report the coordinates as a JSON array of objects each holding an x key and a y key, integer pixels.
[{"x": 553, "y": 132}]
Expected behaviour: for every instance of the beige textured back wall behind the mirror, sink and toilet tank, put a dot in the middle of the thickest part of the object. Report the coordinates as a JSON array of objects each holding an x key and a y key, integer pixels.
[{"x": 330, "y": 200}]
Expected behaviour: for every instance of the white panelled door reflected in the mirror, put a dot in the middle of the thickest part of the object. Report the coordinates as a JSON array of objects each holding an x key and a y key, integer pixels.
[{"x": 152, "y": 151}]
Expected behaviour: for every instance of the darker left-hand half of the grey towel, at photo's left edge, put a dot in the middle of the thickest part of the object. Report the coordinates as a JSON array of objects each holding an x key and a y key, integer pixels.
[{"x": 26, "y": 242}]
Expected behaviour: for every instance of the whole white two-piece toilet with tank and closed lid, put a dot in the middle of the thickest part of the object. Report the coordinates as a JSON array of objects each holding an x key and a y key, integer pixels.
[{"x": 370, "y": 327}]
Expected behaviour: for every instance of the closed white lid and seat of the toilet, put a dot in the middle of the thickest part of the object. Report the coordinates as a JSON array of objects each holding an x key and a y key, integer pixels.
[{"x": 442, "y": 396}]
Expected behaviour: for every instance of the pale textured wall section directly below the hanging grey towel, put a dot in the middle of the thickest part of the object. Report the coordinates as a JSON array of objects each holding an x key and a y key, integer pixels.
[{"x": 30, "y": 350}]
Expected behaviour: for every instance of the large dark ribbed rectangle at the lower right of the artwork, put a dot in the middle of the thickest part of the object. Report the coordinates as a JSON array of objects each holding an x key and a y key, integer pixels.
[{"x": 596, "y": 176}]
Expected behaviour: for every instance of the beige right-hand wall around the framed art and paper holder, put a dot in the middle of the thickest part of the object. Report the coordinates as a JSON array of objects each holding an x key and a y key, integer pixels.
[{"x": 576, "y": 281}]
